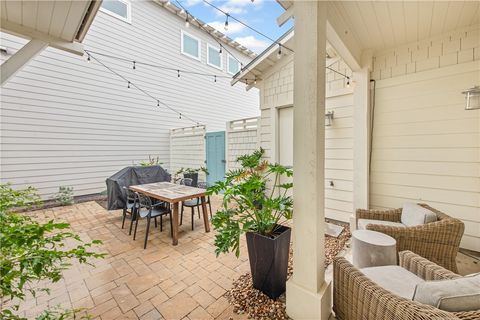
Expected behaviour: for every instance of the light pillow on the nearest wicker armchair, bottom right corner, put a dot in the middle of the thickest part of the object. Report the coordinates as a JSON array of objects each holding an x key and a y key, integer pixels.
[{"x": 457, "y": 295}]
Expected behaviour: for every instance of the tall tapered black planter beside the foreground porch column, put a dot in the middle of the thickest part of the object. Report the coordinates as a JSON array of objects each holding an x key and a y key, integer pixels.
[{"x": 269, "y": 260}]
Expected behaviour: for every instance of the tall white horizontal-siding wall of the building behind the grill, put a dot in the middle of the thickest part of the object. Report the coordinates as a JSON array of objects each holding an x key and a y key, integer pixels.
[{"x": 67, "y": 122}]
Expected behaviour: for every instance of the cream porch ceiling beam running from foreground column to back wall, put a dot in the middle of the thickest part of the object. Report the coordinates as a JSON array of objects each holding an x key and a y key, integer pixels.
[{"x": 342, "y": 39}]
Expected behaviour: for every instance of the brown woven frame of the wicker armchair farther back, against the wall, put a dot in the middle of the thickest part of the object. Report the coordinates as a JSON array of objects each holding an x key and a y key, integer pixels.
[{"x": 437, "y": 241}]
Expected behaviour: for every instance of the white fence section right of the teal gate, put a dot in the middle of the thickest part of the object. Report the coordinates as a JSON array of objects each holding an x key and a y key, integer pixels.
[{"x": 242, "y": 137}]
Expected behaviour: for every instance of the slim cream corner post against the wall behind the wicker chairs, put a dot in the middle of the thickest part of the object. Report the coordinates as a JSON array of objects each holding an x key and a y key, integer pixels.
[{"x": 361, "y": 133}]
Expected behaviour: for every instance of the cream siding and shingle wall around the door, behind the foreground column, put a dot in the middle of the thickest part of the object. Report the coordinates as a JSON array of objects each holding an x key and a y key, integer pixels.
[{"x": 276, "y": 90}]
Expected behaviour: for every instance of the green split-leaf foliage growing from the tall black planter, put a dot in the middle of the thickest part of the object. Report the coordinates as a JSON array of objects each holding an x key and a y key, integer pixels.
[{"x": 254, "y": 200}]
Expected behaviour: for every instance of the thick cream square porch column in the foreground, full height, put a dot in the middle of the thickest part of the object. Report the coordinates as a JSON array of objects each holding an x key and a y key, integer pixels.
[{"x": 308, "y": 295}]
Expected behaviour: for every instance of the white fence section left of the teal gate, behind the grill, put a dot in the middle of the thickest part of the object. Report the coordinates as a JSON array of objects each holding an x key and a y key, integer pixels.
[{"x": 187, "y": 148}]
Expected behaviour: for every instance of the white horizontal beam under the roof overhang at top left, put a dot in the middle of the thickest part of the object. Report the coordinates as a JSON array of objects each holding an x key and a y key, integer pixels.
[{"x": 29, "y": 33}]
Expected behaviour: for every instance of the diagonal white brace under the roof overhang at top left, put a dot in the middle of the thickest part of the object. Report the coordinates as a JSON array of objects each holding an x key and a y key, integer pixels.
[{"x": 16, "y": 62}]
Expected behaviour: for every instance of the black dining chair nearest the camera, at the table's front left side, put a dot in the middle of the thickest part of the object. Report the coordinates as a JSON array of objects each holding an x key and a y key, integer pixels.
[{"x": 147, "y": 210}]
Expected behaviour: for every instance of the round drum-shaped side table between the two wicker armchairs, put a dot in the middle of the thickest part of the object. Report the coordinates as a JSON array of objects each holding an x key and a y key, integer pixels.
[{"x": 371, "y": 249}]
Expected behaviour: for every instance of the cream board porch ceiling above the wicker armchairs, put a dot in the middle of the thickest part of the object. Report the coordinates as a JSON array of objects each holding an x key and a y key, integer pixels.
[{"x": 380, "y": 25}]
